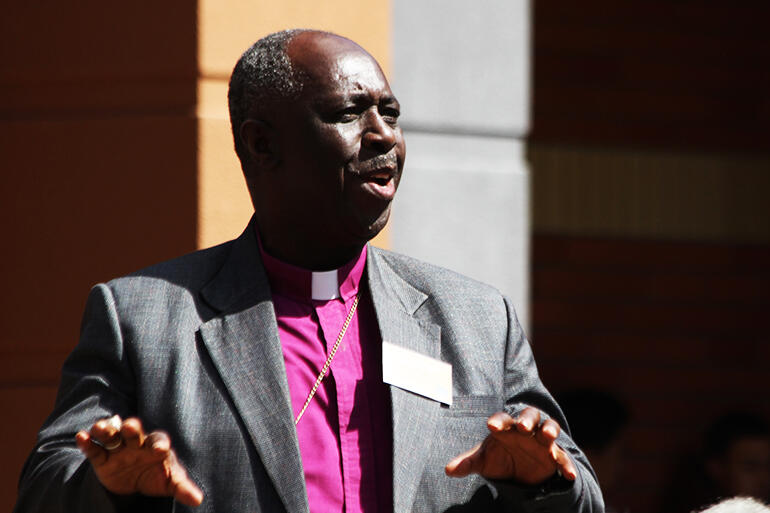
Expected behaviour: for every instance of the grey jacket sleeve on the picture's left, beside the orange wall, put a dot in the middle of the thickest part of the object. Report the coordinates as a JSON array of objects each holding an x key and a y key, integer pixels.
[{"x": 96, "y": 382}]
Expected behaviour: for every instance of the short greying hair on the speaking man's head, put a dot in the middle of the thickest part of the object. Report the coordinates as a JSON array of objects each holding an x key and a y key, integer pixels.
[{"x": 263, "y": 73}]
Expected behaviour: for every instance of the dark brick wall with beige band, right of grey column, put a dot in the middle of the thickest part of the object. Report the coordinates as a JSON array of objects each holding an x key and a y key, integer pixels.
[{"x": 651, "y": 255}]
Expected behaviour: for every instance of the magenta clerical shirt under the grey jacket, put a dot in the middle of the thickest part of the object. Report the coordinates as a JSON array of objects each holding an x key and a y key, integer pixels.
[{"x": 345, "y": 436}]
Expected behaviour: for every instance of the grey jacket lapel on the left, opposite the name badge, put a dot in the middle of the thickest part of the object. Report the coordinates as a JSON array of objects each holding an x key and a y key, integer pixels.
[{"x": 243, "y": 344}]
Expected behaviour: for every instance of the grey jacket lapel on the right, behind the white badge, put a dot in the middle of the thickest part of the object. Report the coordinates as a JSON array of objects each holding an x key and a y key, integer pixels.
[{"x": 414, "y": 416}]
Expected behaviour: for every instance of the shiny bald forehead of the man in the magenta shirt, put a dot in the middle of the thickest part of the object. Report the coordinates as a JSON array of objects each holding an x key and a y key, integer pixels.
[{"x": 335, "y": 65}]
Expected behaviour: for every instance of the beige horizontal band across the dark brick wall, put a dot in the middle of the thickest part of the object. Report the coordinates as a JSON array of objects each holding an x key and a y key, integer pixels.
[{"x": 635, "y": 193}]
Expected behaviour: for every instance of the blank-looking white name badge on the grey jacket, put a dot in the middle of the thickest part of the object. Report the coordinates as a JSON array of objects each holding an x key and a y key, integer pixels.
[{"x": 416, "y": 373}]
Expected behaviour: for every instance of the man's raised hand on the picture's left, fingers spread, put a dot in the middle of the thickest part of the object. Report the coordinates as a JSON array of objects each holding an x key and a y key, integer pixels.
[{"x": 141, "y": 463}]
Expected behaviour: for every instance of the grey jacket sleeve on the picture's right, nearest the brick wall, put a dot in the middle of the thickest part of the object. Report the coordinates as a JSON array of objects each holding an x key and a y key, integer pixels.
[{"x": 523, "y": 388}]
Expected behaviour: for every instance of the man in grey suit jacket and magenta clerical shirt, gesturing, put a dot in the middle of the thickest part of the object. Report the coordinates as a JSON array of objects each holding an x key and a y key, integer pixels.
[{"x": 250, "y": 375}]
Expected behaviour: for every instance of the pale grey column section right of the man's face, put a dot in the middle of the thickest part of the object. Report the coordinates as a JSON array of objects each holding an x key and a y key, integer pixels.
[{"x": 461, "y": 73}]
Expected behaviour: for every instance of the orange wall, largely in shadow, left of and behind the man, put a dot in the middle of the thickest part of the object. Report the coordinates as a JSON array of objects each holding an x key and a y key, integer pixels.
[{"x": 115, "y": 153}]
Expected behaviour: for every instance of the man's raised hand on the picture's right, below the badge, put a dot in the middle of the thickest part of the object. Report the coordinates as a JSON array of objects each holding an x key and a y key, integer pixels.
[{"x": 520, "y": 449}]
